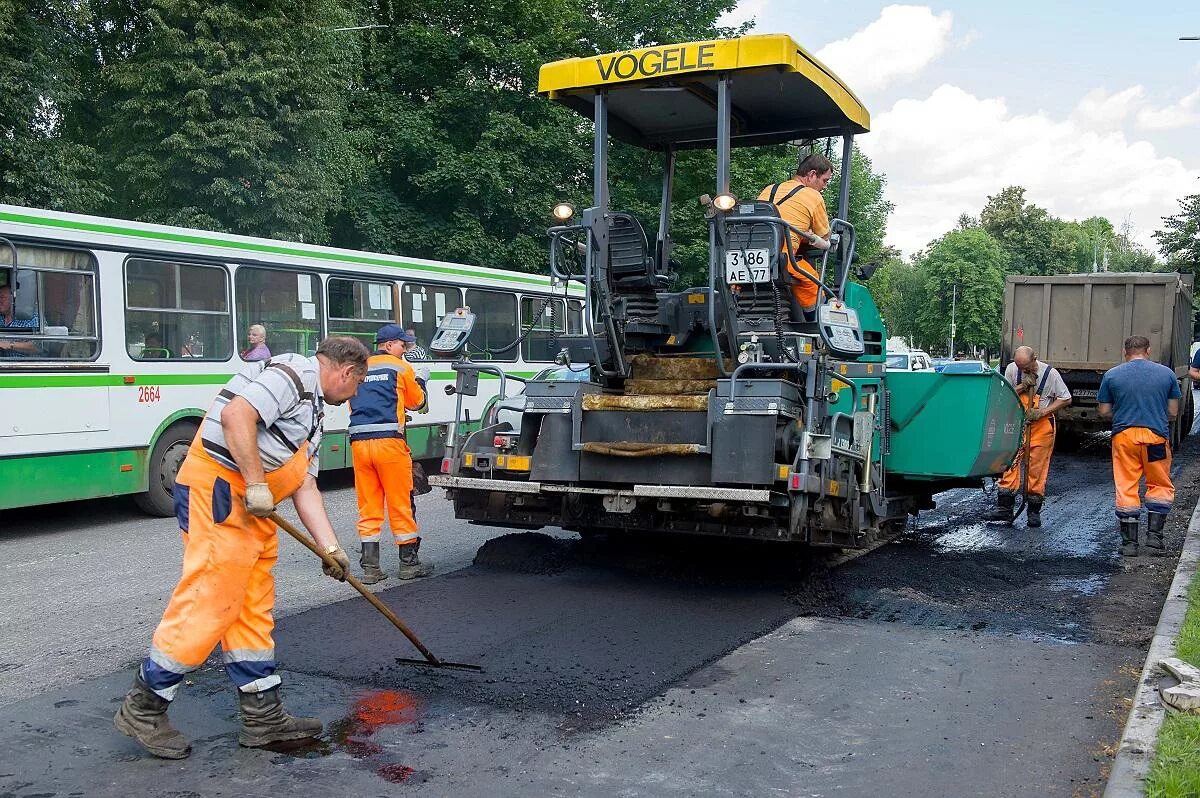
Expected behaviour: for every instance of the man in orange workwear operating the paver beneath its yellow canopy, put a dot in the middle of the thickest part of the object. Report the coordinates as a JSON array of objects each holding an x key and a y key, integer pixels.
[{"x": 801, "y": 206}]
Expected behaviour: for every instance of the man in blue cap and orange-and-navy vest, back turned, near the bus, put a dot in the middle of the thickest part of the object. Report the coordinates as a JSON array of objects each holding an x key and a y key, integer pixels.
[{"x": 383, "y": 464}]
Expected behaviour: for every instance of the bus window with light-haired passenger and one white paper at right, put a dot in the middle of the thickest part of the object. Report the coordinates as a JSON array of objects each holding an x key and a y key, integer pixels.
[{"x": 286, "y": 303}]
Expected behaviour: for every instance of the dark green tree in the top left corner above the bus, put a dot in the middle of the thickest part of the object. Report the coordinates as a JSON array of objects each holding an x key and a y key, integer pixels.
[{"x": 40, "y": 165}]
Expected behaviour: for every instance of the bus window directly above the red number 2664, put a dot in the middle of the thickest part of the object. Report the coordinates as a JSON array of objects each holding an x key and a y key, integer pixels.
[{"x": 176, "y": 311}]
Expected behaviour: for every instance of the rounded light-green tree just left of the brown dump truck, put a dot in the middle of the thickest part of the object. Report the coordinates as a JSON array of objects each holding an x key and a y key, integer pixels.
[{"x": 968, "y": 266}]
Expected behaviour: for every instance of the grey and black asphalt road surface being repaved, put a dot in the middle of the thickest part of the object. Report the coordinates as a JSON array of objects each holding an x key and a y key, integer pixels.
[{"x": 963, "y": 659}]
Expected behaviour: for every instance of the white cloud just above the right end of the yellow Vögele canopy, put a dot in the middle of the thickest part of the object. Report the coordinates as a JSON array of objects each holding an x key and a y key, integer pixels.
[{"x": 899, "y": 45}]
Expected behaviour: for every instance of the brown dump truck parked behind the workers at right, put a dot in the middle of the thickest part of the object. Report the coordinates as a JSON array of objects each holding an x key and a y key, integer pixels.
[{"x": 1078, "y": 323}]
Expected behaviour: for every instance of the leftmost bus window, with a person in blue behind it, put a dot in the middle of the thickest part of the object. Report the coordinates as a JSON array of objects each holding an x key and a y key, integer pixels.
[{"x": 49, "y": 304}]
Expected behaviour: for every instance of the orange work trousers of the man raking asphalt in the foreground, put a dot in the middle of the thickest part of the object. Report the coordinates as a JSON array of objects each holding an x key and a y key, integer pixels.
[{"x": 227, "y": 592}]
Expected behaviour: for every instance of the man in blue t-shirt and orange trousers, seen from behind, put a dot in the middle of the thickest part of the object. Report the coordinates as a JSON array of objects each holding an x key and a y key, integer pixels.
[{"x": 1142, "y": 398}]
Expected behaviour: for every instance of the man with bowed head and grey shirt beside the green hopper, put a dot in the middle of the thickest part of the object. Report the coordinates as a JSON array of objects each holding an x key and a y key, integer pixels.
[{"x": 1042, "y": 393}]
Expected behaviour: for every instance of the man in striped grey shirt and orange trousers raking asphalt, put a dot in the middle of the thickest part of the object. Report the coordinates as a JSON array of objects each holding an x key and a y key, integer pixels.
[{"x": 257, "y": 446}]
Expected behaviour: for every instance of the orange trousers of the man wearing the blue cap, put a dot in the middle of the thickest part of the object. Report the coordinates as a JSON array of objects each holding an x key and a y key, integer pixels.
[{"x": 383, "y": 482}]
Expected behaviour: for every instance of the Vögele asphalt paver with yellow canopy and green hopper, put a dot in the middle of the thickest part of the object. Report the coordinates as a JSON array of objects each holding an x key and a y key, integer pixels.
[{"x": 718, "y": 410}]
